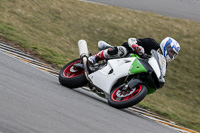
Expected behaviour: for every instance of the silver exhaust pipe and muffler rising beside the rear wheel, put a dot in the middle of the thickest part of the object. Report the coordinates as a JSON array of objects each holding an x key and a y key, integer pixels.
[{"x": 84, "y": 53}]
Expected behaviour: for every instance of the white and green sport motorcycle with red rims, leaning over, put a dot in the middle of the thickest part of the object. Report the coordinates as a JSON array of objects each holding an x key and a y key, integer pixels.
[{"x": 124, "y": 82}]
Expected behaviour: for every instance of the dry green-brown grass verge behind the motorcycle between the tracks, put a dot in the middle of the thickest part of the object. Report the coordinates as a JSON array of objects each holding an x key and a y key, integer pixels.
[{"x": 52, "y": 29}]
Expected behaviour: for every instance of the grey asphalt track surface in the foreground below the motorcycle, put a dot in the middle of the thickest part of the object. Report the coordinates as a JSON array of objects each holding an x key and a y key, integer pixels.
[{"x": 33, "y": 101}]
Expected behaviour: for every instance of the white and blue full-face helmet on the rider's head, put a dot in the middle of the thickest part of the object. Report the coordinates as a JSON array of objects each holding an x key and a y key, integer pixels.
[{"x": 170, "y": 48}]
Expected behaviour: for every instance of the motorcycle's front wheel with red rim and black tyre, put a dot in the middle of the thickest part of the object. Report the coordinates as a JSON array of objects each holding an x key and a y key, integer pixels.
[{"x": 123, "y": 99}]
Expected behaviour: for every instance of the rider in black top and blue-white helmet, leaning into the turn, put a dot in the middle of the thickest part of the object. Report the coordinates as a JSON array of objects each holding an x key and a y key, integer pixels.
[{"x": 168, "y": 47}]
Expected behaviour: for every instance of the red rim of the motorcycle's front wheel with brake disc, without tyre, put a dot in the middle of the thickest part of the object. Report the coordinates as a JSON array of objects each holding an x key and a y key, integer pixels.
[{"x": 119, "y": 96}]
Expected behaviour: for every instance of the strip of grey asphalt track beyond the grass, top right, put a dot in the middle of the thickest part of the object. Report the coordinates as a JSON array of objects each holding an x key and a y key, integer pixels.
[{"x": 185, "y": 9}]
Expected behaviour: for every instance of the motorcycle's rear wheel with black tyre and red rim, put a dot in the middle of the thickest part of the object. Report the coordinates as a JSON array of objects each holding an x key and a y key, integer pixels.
[{"x": 71, "y": 76}]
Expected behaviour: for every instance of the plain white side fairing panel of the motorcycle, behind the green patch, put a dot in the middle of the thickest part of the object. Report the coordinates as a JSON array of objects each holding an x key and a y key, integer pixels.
[{"x": 108, "y": 76}]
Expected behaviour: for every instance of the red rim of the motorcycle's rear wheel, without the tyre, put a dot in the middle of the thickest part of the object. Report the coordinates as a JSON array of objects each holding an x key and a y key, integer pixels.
[{"x": 71, "y": 71}]
